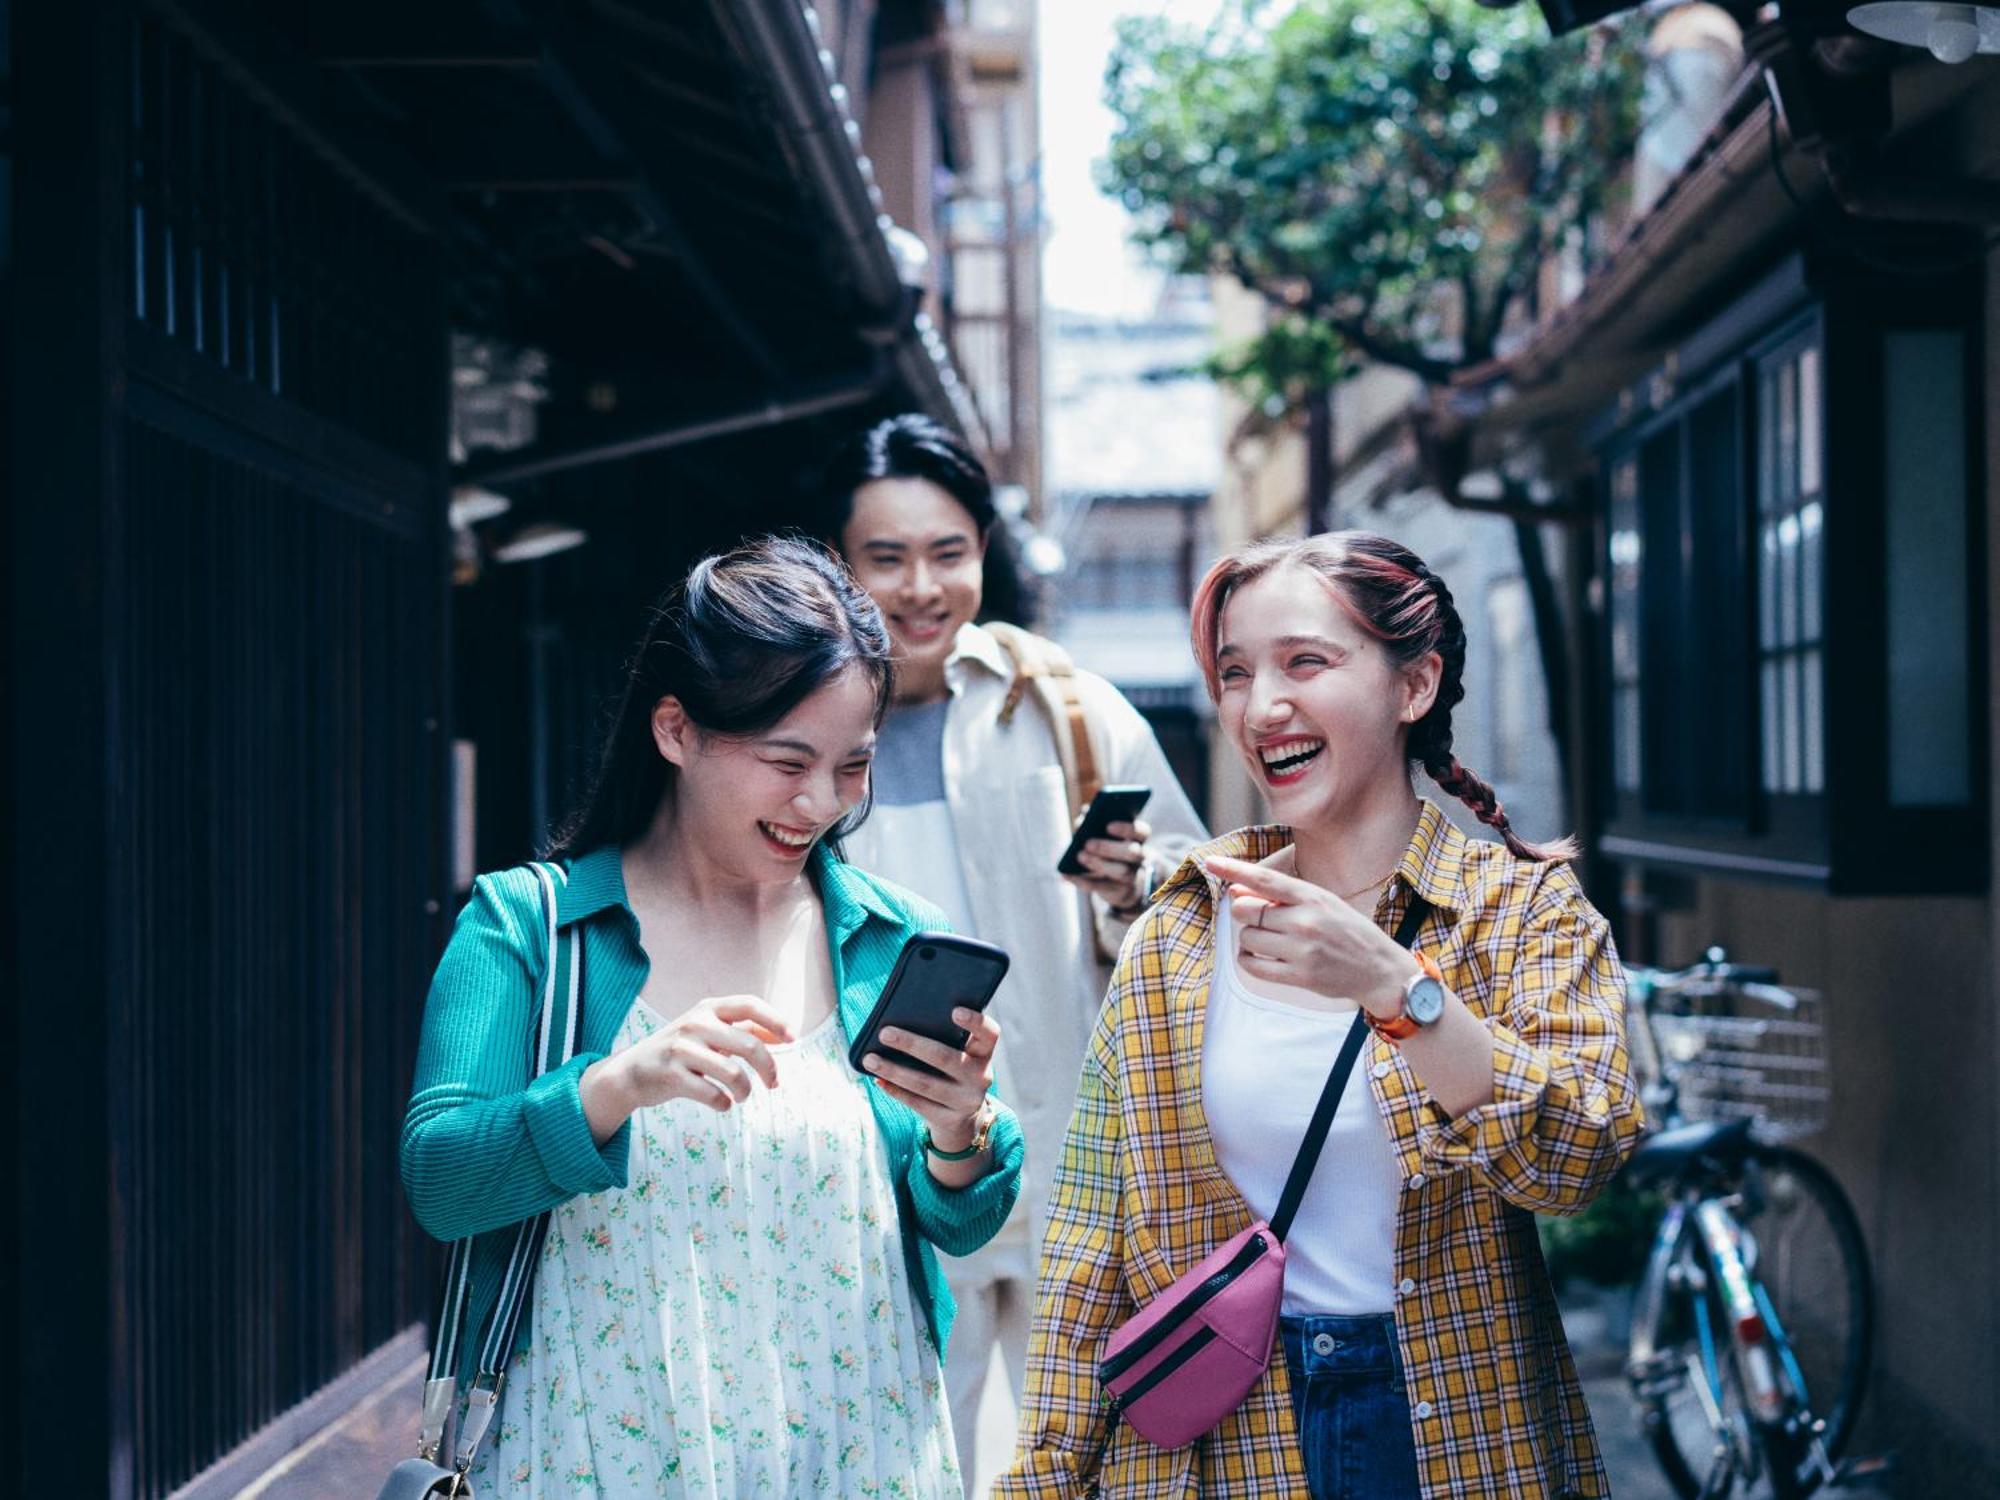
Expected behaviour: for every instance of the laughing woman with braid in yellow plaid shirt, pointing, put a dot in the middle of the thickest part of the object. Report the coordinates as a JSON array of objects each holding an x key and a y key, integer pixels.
[{"x": 1423, "y": 1351}]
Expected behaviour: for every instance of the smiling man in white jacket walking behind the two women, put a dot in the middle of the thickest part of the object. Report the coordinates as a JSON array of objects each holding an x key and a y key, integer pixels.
[{"x": 971, "y": 809}]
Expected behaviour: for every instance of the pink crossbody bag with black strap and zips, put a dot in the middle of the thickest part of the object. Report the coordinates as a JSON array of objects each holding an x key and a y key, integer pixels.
[{"x": 1191, "y": 1357}]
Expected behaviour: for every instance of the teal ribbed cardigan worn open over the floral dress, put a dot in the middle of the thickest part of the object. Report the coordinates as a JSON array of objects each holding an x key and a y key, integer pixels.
[{"x": 483, "y": 1147}]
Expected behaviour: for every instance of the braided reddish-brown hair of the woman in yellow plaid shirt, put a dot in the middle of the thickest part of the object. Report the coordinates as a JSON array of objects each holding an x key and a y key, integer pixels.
[{"x": 1391, "y": 595}]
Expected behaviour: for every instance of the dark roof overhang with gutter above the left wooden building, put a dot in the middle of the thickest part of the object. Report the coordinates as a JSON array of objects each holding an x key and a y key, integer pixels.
[{"x": 671, "y": 201}]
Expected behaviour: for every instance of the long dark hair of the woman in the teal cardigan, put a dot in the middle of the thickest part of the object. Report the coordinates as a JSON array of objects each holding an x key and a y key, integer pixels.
[{"x": 741, "y": 643}]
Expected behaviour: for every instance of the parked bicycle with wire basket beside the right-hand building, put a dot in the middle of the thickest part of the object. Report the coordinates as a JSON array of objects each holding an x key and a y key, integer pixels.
[{"x": 1755, "y": 1317}]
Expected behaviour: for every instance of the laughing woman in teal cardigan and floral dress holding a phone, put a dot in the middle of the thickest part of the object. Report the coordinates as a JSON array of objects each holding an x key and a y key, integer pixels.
[{"x": 741, "y": 1291}]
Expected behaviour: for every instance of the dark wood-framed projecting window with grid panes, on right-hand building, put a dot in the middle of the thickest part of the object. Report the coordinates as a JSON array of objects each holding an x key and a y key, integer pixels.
[{"x": 1813, "y": 445}]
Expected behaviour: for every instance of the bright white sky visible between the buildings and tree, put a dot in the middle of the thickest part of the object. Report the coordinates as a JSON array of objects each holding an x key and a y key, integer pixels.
[{"x": 1087, "y": 265}]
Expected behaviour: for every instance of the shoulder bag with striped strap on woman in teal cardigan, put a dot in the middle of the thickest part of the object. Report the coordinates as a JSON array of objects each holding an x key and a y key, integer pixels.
[{"x": 427, "y": 1477}]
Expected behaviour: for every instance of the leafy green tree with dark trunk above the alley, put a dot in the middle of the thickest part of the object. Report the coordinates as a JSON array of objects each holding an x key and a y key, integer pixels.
[{"x": 1391, "y": 177}]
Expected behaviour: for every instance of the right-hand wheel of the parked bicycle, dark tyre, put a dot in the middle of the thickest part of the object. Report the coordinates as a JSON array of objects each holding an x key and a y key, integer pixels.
[{"x": 1811, "y": 1269}]
